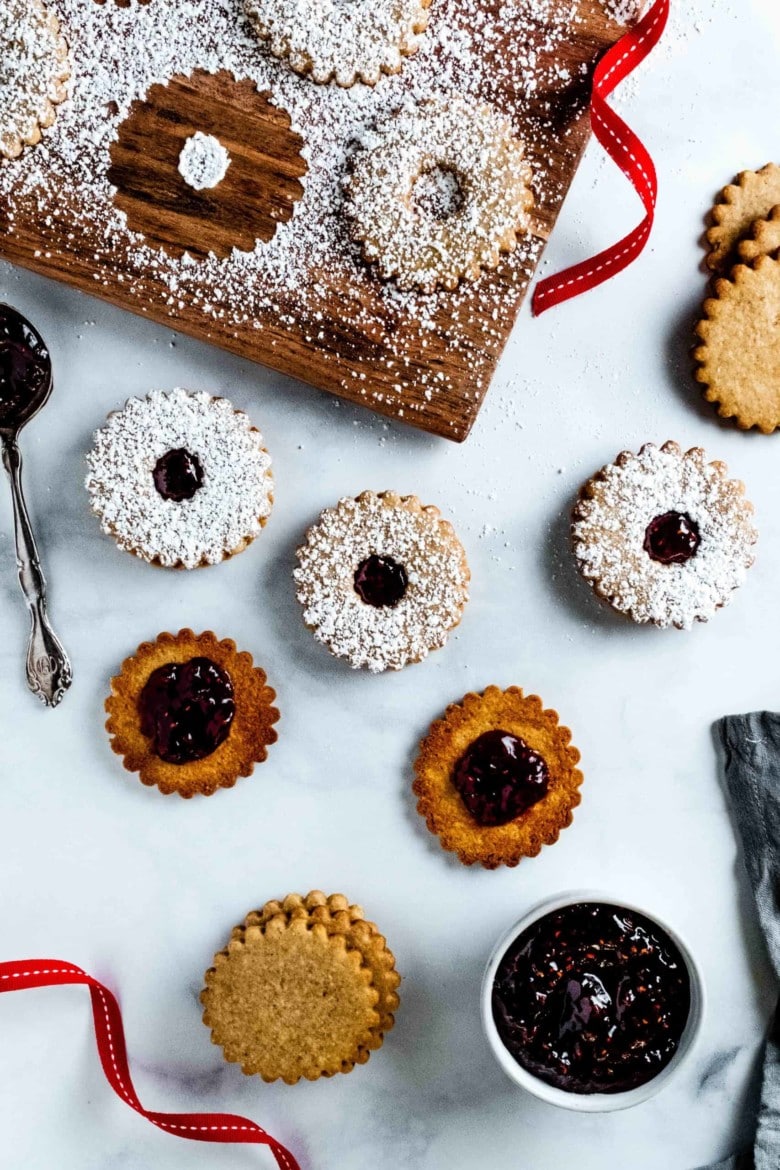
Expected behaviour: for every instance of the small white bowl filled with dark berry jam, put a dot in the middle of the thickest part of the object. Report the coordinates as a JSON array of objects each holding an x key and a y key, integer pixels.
[{"x": 592, "y": 1004}]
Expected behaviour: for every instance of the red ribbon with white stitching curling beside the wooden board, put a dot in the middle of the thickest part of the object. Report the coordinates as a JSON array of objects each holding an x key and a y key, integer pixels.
[{"x": 627, "y": 152}]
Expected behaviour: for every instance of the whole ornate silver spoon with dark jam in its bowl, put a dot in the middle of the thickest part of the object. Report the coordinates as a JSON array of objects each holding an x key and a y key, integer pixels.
[{"x": 25, "y": 387}]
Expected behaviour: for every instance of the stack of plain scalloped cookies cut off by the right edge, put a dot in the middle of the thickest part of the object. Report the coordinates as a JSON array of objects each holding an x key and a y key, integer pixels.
[{"x": 738, "y": 356}]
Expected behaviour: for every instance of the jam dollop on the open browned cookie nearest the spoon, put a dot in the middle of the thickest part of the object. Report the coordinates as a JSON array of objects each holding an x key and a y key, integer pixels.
[{"x": 187, "y": 710}]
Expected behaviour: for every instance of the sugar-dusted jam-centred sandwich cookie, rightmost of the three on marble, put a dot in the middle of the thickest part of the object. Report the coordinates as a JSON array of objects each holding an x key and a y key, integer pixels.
[{"x": 664, "y": 536}]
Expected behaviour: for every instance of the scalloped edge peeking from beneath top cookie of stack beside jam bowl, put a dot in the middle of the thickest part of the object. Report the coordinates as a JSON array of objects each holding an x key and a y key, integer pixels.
[{"x": 336, "y": 913}]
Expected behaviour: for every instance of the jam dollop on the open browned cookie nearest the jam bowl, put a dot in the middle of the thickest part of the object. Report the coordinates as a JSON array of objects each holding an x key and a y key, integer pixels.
[{"x": 500, "y": 777}]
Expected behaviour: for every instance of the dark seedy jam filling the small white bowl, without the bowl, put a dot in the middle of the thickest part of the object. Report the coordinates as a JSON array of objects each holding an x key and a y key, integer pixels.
[{"x": 592, "y": 999}]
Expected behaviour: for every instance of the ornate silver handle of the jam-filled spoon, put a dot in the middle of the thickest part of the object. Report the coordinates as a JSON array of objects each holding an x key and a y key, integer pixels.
[{"x": 49, "y": 667}]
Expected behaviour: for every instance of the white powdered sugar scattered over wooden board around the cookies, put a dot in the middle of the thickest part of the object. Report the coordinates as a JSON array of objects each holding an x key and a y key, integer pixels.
[{"x": 120, "y": 53}]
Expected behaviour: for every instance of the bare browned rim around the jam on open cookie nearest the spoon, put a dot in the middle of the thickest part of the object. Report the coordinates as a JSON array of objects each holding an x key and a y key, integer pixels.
[{"x": 251, "y": 734}]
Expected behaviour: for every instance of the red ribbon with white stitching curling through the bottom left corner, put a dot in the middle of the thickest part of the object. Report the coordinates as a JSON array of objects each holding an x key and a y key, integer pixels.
[{"x": 109, "y": 1033}]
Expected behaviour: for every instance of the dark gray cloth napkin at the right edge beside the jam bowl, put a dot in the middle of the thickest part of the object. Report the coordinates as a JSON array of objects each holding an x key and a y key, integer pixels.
[{"x": 751, "y": 745}]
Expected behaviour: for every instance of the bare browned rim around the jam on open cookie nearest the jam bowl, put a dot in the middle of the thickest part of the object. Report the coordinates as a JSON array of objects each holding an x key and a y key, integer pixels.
[{"x": 441, "y": 806}]
